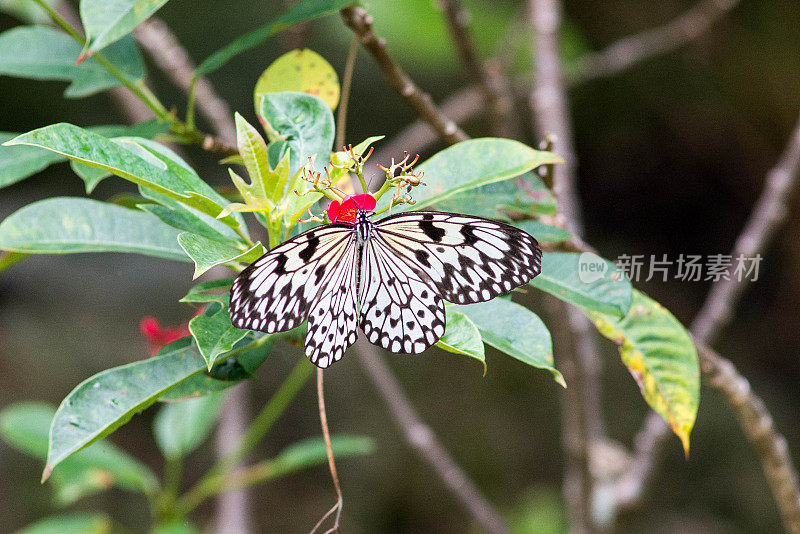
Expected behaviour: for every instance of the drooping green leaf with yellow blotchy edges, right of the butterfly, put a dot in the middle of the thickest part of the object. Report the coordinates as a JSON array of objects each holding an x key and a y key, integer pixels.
[{"x": 661, "y": 357}]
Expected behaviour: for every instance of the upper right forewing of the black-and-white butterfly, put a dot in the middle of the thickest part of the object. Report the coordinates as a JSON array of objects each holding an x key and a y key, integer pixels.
[{"x": 468, "y": 259}]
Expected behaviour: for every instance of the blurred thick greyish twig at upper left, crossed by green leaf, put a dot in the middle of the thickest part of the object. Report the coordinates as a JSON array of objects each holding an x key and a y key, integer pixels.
[{"x": 161, "y": 44}]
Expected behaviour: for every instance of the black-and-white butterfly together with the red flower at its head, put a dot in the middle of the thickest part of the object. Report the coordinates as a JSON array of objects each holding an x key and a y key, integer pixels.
[{"x": 389, "y": 277}]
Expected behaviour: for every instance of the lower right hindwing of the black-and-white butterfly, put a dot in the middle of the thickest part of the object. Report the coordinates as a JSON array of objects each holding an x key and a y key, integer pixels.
[{"x": 400, "y": 309}]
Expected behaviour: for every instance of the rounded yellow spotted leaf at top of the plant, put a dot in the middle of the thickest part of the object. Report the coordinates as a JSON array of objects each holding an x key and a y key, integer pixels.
[{"x": 303, "y": 71}]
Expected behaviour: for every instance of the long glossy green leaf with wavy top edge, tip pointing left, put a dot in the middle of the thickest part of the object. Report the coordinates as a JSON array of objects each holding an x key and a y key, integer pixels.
[{"x": 141, "y": 161}]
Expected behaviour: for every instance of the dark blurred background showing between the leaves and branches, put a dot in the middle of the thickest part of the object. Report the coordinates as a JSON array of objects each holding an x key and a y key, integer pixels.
[{"x": 672, "y": 154}]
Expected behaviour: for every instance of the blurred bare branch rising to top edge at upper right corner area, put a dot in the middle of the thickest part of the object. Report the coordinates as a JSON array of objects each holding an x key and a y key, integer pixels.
[{"x": 626, "y": 52}]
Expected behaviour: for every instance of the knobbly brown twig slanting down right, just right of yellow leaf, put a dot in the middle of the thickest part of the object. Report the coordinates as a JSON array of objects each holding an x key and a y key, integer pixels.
[{"x": 358, "y": 20}]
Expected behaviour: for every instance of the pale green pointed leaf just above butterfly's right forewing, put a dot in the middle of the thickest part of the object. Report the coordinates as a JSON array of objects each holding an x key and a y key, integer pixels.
[{"x": 471, "y": 164}]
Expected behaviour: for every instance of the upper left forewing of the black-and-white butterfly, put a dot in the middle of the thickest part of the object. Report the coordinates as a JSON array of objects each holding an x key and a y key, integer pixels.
[{"x": 277, "y": 291}]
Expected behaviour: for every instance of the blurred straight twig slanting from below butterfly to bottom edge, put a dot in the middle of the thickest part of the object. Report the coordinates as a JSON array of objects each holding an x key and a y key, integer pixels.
[{"x": 422, "y": 439}]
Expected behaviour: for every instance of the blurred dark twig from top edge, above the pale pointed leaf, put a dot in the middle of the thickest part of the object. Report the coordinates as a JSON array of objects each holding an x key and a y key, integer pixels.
[{"x": 494, "y": 87}]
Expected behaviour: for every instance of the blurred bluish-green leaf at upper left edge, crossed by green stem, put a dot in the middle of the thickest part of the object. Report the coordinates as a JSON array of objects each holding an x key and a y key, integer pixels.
[{"x": 43, "y": 53}]
